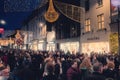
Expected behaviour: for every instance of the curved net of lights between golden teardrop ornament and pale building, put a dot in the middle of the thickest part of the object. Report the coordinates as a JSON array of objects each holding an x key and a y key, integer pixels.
[{"x": 71, "y": 11}]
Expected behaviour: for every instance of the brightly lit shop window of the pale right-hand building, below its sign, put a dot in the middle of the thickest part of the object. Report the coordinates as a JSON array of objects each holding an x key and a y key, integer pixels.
[{"x": 98, "y": 47}]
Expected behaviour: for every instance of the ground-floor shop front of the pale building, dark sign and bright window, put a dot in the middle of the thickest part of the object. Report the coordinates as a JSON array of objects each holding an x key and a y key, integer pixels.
[{"x": 97, "y": 43}]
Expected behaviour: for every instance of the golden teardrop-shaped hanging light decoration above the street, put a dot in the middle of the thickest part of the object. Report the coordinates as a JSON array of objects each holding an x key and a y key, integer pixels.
[{"x": 51, "y": 15}]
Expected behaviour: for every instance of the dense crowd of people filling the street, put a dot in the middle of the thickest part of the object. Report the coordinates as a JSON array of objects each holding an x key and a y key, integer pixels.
[{"x": 58, "y": 65}]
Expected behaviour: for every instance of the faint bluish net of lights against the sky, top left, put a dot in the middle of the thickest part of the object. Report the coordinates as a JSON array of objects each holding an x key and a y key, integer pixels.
[{"x": 20, "y": 5}]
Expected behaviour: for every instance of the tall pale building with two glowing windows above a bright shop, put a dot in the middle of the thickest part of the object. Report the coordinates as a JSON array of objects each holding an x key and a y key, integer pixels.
[{"x": 96, "y": 31}]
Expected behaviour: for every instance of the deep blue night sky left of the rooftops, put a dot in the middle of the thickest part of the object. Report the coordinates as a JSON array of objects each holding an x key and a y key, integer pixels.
[{"x": 15, "y": 11}]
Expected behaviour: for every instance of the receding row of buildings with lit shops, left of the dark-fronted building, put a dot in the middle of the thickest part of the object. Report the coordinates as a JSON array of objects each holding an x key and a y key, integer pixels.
[{"x": 36, "y": 28}]
